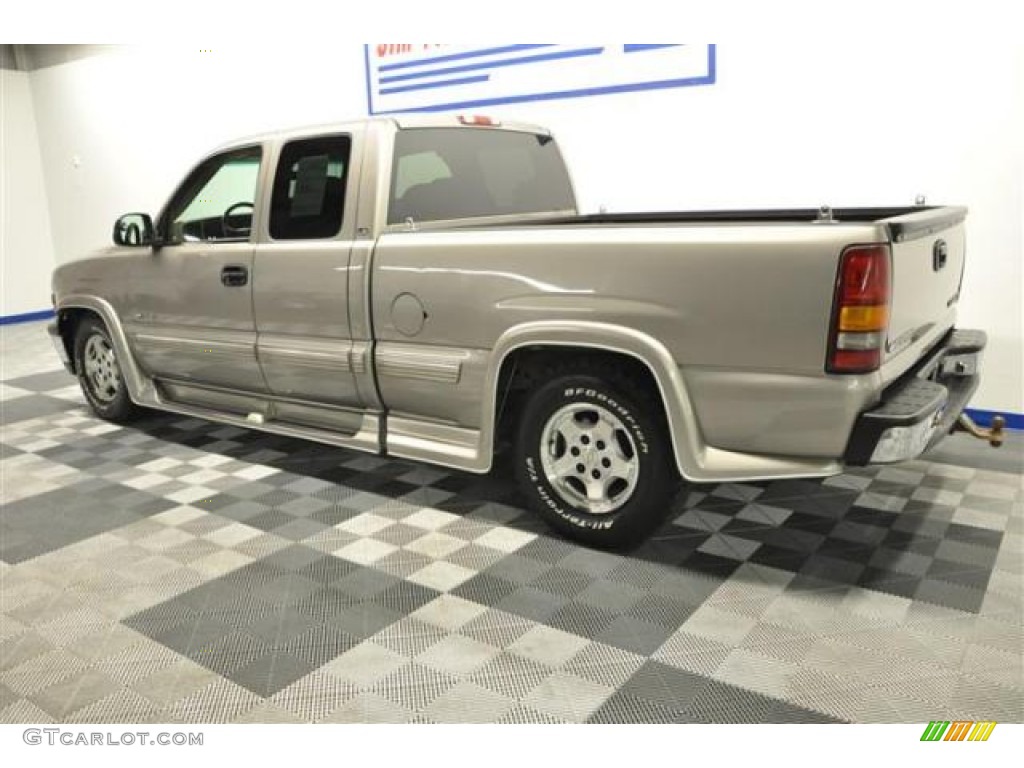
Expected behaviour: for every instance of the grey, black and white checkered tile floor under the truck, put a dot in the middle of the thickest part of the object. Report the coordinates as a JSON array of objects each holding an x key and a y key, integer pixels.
[{"x": 178, "y": 571}]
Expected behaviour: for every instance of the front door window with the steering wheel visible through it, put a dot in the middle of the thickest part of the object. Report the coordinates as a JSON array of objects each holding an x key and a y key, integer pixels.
[{"x": 217, "y": 203}]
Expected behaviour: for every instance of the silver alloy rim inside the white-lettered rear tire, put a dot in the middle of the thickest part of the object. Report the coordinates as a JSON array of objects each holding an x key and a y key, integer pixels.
[{"x": 589, "y": 458}]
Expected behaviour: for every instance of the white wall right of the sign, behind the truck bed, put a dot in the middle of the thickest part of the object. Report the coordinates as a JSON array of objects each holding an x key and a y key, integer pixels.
[{"x": 840, "y": 123}]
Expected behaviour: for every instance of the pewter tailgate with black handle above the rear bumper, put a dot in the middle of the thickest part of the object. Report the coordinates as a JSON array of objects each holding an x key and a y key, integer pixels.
[{"x": 927, "y": 269}]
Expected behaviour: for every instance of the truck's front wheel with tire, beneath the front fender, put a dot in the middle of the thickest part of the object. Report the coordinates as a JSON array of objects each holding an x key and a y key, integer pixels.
[{"x": 100, "y": 373}]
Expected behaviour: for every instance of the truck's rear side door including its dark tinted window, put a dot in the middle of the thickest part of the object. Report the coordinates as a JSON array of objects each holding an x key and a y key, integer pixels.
[{"x": 303, "y": 276}]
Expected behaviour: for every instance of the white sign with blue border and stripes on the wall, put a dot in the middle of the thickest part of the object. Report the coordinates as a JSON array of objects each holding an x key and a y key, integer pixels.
[{"x": 433, "y": 77}]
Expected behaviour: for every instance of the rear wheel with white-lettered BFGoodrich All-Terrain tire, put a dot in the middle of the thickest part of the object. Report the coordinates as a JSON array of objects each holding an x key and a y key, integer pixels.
[{"x": 594, "y": 458}]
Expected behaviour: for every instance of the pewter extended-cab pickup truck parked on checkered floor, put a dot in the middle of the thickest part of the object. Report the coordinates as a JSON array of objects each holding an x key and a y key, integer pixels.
[{"x": 424, "y": 288}]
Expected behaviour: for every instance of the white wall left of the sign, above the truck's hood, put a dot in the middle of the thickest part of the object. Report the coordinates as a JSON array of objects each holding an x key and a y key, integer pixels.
[{"x": 120, "y": 131}]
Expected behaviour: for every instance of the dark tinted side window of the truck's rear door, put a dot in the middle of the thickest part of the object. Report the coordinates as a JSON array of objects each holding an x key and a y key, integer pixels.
[{"x": 309, "y": 195}]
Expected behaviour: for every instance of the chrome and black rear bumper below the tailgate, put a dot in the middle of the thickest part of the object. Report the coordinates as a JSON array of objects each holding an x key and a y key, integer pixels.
[{"x": 920, "y": 409}]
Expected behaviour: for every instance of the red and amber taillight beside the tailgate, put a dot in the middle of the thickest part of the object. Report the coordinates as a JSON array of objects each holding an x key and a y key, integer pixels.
[{"x": 861, "y": 311}]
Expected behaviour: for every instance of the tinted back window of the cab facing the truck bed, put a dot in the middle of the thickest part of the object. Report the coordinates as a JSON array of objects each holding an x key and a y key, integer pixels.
[{"x": 455, "y": 174}]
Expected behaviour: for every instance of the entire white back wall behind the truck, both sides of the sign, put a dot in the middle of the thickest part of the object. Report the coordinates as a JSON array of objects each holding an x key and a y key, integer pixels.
[{"x": 784, "y": 126}]
